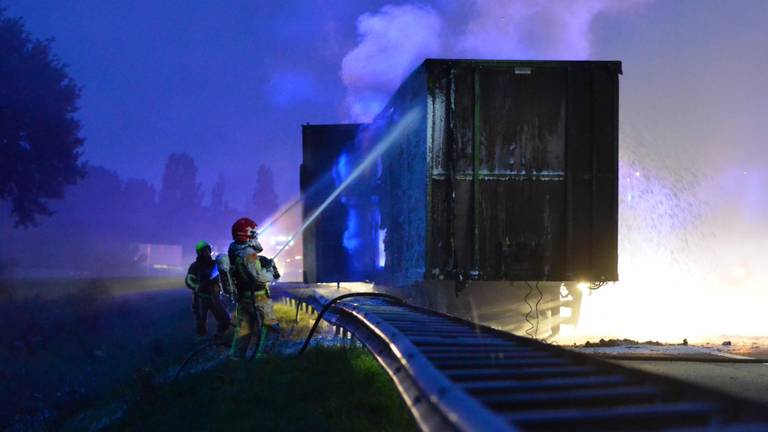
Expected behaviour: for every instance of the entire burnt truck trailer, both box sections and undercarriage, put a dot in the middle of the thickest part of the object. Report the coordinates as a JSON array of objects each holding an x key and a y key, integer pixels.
[{"x": 494, "y": 206}]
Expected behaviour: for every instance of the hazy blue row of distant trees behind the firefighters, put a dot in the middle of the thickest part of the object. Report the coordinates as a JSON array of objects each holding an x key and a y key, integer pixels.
[{"x": 95, "y": 227}]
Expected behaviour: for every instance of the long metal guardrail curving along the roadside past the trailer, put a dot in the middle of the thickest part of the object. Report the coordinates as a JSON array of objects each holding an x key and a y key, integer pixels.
[{"x": 457, "y": 375}]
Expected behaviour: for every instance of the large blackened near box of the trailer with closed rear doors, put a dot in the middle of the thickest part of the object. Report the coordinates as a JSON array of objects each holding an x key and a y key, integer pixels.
[{"x": 512, "y": 174}]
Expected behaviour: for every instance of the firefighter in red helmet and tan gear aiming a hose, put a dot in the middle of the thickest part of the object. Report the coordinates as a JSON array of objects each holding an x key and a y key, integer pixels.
[{"x": 252, "y": 275}]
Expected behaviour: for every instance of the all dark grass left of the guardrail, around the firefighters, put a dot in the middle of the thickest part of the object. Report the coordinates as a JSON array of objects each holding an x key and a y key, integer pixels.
[{"x": 87, "y": 351}]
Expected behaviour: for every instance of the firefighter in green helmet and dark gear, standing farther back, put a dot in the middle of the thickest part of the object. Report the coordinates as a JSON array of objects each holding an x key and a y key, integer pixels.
[{"x": 203, "y": 279}]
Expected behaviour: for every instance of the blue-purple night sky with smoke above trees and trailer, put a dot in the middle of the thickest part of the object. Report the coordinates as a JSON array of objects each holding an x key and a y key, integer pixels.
[{"x": 231, "y": 81}]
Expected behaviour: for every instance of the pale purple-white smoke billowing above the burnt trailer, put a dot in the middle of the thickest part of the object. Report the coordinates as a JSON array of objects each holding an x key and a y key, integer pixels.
[{"x": 395, "y": 39}]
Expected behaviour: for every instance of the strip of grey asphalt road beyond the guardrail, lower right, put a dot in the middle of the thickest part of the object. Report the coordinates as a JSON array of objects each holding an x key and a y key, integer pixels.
[{"x": 748, "y": 381}]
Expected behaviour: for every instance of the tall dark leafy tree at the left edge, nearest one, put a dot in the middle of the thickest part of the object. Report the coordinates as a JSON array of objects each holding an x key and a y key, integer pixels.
[{"x": 39, "y": 134}]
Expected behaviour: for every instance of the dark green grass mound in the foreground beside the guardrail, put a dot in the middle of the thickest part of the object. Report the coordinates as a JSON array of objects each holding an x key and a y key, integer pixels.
[{"x": 339, "y": 389}]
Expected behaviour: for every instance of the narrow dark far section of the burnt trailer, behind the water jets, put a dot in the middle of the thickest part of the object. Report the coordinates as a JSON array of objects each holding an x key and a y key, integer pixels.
[{"x": 324, "y": 256}]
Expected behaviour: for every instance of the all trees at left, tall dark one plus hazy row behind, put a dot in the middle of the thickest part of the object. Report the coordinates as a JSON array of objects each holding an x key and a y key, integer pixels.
[{"x": 59, "y": 212}]
